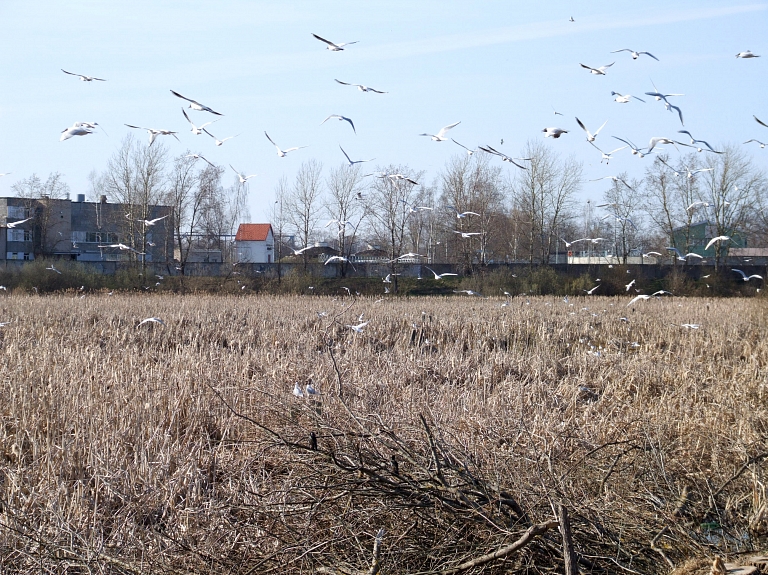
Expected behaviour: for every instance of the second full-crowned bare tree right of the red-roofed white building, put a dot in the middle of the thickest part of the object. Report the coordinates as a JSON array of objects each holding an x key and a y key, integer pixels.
[{"x": 345, "y": 207}]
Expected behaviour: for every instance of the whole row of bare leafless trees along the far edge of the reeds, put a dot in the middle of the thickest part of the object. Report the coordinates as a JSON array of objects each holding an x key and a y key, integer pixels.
[{"x": 473, "y": 212}]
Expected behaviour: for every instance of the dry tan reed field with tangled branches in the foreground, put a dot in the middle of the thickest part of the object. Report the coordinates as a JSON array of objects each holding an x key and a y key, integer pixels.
[{"x": 460, "y": 427}]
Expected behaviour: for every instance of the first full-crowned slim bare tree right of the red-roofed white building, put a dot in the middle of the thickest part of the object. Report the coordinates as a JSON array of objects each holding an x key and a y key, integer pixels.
[{"x": 303, "y": 203}]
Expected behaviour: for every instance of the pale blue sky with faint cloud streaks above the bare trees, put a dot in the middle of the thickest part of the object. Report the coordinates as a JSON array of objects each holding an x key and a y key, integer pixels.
[{"x": 496, "y": 66}]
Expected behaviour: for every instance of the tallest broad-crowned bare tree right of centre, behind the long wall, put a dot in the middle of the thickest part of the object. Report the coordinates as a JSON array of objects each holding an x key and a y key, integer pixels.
[{"x": 544, "y": 193}]
